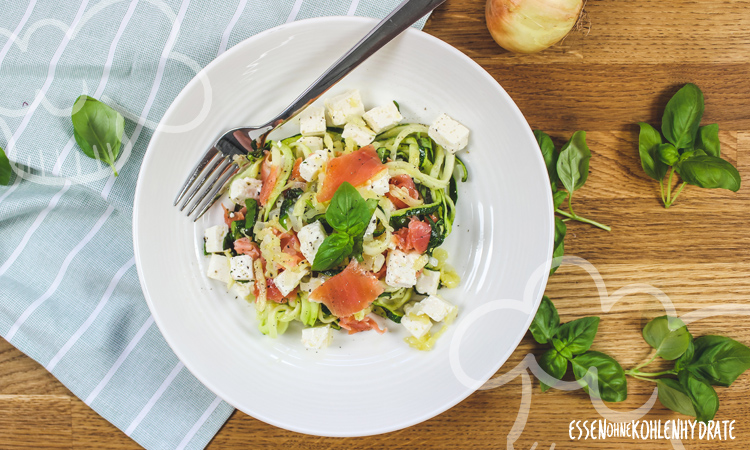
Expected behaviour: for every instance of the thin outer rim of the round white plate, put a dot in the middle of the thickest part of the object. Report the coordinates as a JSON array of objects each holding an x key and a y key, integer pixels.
[{"x": 149, "y": 154}]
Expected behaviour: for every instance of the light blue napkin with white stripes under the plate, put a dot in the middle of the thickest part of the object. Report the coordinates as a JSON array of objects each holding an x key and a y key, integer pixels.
[{"x": 69, "y": 292}]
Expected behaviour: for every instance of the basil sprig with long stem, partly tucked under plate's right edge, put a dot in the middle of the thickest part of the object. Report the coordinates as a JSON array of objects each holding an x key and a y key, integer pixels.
[{"x": 569, "y": 167}]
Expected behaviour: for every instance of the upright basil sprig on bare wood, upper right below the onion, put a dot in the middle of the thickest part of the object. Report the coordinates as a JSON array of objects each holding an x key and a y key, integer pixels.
[{"x": 691, "y": 150}]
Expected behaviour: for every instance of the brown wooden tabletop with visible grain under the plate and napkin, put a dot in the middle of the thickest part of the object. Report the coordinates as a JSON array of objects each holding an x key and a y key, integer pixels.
[{"x": 636, "y": 55}]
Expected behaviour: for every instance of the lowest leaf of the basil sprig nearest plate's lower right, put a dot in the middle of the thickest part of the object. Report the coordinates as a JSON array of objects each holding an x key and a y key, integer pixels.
[{"x": 609, "y": 384}]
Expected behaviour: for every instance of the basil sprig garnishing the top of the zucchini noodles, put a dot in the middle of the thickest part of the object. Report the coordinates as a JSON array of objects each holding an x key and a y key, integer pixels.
[{"x": 348, "y": 214}]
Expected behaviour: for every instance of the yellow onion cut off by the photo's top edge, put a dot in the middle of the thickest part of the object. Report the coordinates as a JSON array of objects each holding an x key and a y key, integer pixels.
[{"x": 530, "y": 26}]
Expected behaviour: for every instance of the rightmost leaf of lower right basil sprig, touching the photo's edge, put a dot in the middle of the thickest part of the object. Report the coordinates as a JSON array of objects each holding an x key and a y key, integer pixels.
[{"x": 719, "y": 359}]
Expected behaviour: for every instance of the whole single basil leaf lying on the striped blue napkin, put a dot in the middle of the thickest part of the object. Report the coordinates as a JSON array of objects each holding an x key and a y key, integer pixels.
[{"x": 97, "y": 129}]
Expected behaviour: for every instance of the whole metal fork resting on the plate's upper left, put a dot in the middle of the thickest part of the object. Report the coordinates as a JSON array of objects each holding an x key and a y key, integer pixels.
[{"x": 209, "y": 177}]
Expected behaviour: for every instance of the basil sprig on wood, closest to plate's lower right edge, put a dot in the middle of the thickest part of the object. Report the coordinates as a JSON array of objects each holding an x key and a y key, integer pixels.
[{"x": 571, "y": 343}]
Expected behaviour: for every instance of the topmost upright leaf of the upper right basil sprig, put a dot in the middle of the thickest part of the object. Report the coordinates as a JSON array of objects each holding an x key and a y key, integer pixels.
[{"x": 682, "y": 116}]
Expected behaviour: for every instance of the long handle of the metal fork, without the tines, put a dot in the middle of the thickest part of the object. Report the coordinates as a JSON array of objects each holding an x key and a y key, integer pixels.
[{"x": 401, "y": 18}]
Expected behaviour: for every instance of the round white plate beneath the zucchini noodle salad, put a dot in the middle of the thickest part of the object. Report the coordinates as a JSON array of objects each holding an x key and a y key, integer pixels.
[{"x": 366, "y": 383}]
